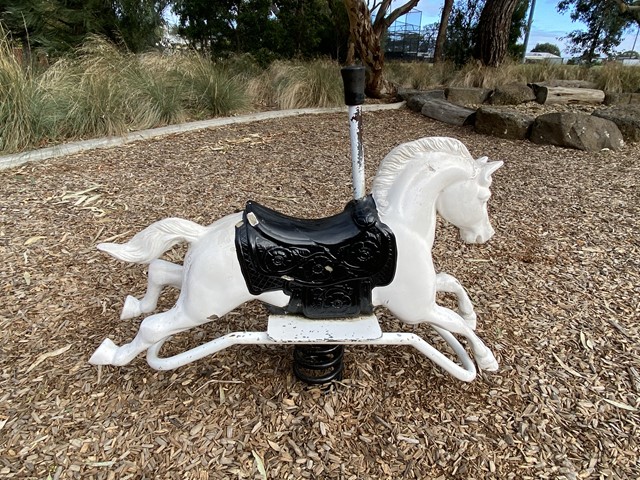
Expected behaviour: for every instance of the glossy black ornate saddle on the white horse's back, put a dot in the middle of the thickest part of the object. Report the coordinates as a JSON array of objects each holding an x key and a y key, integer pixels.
[{"x": 328, "y": 266}]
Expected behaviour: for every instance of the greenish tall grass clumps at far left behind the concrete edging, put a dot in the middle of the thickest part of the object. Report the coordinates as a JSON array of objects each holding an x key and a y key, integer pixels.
[{"x": 102, "y": 90}]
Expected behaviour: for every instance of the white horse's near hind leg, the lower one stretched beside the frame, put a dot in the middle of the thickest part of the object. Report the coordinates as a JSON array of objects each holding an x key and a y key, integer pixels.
[{"x": 152, "y": 330}]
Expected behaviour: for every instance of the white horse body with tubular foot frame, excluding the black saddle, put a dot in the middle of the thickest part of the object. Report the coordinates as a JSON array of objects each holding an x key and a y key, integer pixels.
[{"x": 414, "y": 181}]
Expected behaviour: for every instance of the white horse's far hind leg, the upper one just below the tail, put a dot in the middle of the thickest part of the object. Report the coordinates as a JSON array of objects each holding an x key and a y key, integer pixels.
[{"x": 161, "y": 273}]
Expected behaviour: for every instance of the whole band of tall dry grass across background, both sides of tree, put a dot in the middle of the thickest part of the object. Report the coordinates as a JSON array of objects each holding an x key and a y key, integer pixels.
[{"x": 102, "y": 90}]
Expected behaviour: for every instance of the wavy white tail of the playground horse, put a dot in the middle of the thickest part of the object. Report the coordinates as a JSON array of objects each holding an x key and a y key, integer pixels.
[{"x": 154, "y": 240}]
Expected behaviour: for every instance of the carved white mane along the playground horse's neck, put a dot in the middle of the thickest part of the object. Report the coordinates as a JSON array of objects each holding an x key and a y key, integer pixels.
[{"x": 399, "y": 157}]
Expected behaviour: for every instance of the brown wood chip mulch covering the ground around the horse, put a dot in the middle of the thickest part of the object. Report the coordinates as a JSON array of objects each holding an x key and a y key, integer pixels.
[{"x": 557, "y": 292}]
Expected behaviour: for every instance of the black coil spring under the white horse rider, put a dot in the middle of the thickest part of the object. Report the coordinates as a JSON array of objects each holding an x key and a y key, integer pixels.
[{"x": 318, "y": 364}]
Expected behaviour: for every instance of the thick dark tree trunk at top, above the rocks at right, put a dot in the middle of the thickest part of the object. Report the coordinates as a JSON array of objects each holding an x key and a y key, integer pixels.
[{"x": 493, "y": 31}]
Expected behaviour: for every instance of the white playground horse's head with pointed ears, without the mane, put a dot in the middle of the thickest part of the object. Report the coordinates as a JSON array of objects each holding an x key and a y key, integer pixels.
[{"x": 464, "y": 204}]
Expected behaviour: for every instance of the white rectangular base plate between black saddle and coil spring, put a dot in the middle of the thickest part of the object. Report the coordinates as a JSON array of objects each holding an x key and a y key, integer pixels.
[{"x": 295, "y": 329}]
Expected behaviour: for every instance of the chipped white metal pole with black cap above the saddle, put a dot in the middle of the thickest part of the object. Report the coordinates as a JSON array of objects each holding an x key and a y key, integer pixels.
[{"x": 353, "y": 78}]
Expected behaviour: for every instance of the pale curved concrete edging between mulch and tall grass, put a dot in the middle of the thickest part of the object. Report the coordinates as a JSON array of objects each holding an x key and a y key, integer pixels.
[{"x": 17, "y": 159}]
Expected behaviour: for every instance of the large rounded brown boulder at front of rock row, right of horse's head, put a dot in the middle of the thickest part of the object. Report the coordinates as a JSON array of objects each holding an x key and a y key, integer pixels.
[{"x": 576, "y": 130}]
